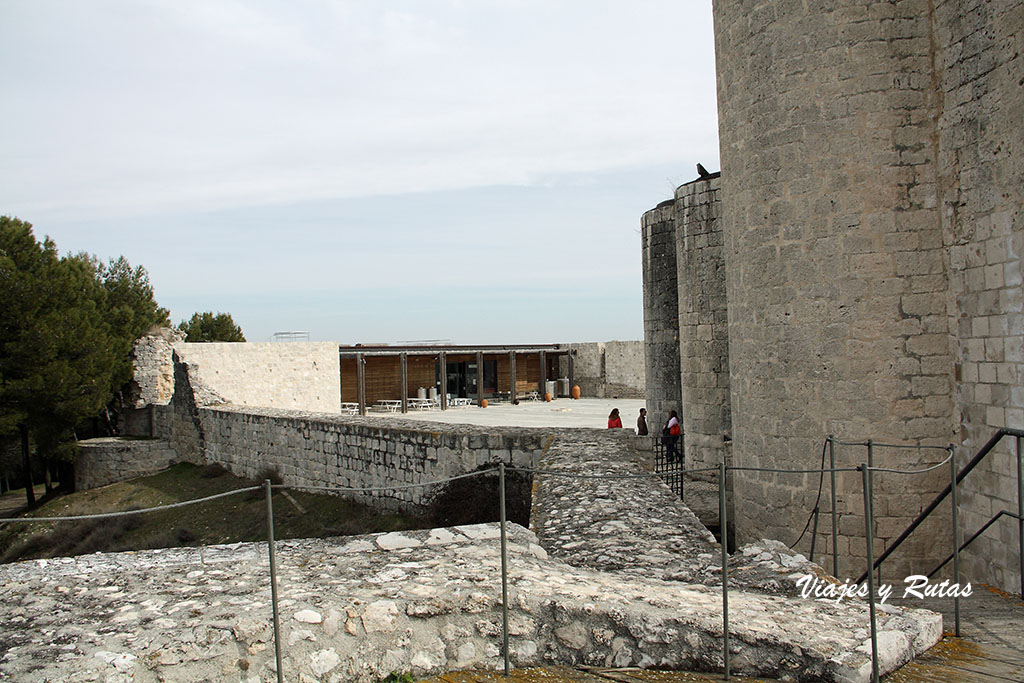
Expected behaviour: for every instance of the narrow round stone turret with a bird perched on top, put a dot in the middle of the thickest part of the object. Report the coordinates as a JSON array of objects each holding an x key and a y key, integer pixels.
[{"x": 704, "y": 330}]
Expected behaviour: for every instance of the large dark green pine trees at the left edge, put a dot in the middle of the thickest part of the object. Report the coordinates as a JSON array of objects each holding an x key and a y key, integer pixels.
[{"x": 67, "y": 328}]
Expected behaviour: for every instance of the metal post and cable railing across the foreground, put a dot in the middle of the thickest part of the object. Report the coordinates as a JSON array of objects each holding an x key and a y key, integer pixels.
[{"x": 722, "y": 471}]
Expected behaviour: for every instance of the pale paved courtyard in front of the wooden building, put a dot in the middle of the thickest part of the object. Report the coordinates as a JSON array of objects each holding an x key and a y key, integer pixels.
[{"x": 592, "y": 413}]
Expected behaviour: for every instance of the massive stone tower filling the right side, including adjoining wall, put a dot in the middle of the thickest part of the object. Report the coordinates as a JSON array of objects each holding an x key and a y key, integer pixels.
[{"x": 873, "y": 156}]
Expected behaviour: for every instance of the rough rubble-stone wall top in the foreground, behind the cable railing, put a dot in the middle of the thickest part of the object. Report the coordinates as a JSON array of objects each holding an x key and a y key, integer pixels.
[{"x": 619, "y": 574}]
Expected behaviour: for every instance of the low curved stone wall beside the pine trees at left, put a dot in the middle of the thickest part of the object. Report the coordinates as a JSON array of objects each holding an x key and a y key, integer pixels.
[{"x": 104, "y": 461}]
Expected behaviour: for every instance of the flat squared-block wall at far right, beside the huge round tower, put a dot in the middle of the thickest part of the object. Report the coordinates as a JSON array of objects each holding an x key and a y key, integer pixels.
[{"x": 980, "y": 57}]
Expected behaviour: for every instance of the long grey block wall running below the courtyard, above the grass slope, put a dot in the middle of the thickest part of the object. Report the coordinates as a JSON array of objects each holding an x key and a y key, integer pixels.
[{"x": 321, "y": 450}]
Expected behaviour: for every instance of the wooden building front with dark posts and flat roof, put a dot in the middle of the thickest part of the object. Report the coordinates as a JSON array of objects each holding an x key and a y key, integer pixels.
[{"x": 372, "y": 374}]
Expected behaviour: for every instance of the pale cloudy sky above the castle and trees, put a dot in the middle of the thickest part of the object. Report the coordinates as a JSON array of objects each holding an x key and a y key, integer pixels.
[{"x": 366, "y": 173}]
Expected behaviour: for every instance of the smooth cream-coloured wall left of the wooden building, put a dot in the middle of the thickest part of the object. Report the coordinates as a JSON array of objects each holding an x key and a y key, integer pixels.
[{"x": 290, "y": 376}]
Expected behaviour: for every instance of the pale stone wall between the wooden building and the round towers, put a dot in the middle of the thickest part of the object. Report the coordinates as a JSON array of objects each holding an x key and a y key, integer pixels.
[{"x": 608, "y": 370}]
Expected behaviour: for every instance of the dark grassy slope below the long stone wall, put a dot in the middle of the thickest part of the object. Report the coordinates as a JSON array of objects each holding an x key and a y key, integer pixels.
[{"x": 230, "y": 520}]
